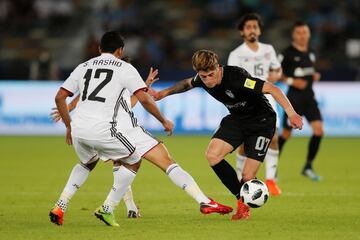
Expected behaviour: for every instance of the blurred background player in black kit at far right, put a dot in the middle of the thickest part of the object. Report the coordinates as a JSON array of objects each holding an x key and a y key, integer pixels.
[{"x": 299, "y": 73}]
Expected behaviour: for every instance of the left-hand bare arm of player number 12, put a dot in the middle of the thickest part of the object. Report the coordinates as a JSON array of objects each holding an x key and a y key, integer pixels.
[{"x": 60, "y": 100}]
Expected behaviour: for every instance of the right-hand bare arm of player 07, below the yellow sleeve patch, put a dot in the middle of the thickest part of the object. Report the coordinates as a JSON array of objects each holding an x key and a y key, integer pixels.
[{"x": 279, "y": 96}]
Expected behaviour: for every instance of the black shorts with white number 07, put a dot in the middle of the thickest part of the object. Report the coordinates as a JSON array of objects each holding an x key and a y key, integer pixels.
[{"x": 256, "y": 134}]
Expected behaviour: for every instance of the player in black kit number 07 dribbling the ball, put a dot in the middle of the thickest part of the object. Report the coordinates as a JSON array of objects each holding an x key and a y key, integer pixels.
[{"x": 251, "y": 120}]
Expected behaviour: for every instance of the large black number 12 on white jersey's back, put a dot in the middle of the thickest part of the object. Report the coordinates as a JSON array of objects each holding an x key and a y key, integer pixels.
[{"x": 88, "y": 76}]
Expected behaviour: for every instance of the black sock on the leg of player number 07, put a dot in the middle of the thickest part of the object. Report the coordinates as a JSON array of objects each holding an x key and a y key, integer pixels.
[{"x": 228, "y": 177}]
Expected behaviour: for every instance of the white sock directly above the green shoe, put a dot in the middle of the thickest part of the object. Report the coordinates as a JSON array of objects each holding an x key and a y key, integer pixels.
[{"x": 123, "y": 178}]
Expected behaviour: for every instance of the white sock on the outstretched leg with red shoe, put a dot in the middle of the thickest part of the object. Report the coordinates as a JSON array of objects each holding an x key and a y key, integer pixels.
[{"x": 186, "y": 182}]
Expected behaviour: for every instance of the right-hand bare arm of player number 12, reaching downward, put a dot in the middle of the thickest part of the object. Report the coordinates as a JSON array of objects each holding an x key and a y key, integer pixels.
[{"x": 149, "y": 104}]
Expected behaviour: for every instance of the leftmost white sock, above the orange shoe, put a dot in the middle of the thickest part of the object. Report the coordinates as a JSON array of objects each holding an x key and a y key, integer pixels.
[{"x": 77, "y": 177}]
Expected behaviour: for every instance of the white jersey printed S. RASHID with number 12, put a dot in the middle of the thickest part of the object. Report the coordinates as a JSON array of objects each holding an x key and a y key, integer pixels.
[{"x": 105, "y": 84}]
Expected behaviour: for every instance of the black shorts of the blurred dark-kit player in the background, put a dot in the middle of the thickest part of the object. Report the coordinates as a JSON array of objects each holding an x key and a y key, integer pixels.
[{"x": 305, "y": 106}]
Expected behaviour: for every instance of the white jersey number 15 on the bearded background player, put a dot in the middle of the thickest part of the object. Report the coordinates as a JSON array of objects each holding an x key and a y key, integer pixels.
[{"x": 257, "y": 63}]
